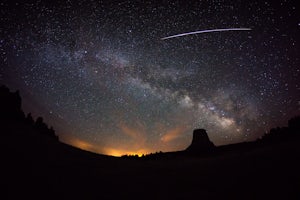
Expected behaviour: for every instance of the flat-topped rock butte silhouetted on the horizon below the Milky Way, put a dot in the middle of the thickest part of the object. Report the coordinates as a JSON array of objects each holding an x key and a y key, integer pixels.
[{"x": 200, "y": 142}]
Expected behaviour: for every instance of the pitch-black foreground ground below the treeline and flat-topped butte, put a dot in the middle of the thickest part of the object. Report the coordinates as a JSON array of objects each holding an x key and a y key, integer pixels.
[{"x": 39, "y": 167}]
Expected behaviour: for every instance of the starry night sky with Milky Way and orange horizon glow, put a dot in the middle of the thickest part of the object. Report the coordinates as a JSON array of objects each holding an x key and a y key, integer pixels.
[{"x": 100, "y": 74}]
